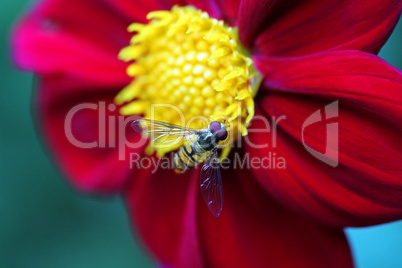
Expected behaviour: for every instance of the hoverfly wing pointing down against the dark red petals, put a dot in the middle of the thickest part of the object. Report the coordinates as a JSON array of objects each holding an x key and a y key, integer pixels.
[{"x": 211, "y": 185}]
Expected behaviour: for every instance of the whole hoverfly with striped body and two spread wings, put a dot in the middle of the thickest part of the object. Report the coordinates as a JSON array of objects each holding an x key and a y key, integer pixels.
[{"x": 202, "y": 147}]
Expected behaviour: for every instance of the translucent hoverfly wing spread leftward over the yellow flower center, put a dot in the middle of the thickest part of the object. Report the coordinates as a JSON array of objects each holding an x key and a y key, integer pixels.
[{"x": 160, "y": 132}]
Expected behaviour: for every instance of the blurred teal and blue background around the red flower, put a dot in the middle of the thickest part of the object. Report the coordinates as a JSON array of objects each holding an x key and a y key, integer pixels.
[{"x": 45, "y": 223}]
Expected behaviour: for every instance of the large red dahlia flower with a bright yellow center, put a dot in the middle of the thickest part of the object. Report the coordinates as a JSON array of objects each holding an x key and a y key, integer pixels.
[{"x": 310, "y": 53}]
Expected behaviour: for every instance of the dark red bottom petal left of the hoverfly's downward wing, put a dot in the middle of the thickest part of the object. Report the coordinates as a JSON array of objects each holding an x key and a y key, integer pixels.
[{"x": 162, "y": 206}]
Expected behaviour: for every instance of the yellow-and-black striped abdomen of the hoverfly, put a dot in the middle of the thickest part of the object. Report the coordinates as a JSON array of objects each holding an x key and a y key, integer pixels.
[{"x": 188, "y": 156}]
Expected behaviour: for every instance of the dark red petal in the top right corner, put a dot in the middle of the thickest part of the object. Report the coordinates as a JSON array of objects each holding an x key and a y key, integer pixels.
[{"x": 295, "y": 28}]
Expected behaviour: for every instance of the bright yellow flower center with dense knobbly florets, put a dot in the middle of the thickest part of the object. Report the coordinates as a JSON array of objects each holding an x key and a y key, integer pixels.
[{"x": 188, "y": 65}]
